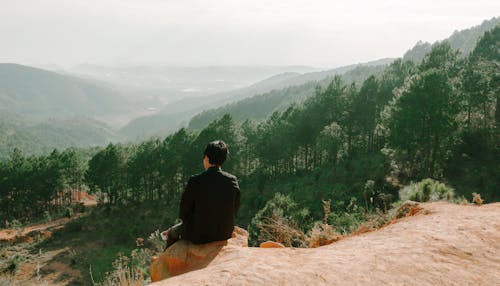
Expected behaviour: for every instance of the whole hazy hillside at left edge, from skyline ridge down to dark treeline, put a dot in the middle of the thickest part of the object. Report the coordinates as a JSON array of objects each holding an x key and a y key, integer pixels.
[{"x": 41, "y": 110}]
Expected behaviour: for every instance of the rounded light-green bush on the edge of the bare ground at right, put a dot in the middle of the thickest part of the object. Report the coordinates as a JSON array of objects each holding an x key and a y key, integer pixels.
[{"x": 427, "y": 190}]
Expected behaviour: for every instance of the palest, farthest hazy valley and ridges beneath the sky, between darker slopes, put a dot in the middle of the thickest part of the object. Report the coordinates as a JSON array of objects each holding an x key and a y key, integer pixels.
[{"x": 170, "y": 83}]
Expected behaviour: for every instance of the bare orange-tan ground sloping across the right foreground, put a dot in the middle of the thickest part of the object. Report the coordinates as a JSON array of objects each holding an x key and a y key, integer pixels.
[{"x": 443, "y": 244}]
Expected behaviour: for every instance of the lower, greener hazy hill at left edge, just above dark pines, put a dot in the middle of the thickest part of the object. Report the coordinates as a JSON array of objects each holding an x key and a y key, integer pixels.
[{"x": 42, "y": 137}]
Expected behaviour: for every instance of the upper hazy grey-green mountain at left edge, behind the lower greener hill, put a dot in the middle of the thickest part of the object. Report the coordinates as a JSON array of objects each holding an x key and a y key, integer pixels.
[{"x": 40, "y": 94}]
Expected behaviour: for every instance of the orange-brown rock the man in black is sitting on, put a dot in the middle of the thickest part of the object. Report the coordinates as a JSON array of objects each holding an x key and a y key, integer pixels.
[{"x": 184, "y": 256}]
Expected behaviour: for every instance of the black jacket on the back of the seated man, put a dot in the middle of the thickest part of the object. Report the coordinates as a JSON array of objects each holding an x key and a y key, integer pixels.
[{"x": 209, "y": 206}]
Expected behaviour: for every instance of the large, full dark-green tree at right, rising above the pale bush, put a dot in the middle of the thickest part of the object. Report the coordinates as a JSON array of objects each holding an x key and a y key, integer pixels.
[{"x": 423, "y": 119}]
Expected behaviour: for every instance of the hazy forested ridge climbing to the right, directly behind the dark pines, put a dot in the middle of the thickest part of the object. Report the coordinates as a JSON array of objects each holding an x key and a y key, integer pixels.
[{"x": 261, "y": 106}]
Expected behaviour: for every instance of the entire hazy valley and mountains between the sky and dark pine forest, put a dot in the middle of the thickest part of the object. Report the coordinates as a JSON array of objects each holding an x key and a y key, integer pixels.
[{"x": 122, "y": 103}]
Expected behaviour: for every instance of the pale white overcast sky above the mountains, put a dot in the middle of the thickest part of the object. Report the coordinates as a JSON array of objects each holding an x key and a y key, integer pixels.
[{"x": 321, "y": 33}]
